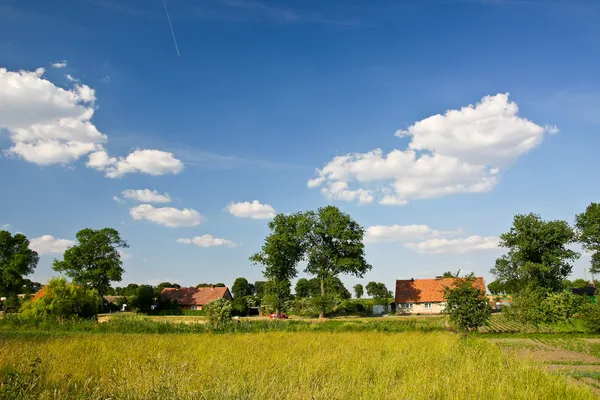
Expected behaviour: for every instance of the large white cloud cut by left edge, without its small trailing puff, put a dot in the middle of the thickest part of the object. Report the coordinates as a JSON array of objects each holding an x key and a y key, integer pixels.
[{"x": 47, "y": 124}]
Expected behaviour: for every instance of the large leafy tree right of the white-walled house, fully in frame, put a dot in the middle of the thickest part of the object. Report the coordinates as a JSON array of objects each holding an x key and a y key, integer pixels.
[{"x": 538, "y": 256}]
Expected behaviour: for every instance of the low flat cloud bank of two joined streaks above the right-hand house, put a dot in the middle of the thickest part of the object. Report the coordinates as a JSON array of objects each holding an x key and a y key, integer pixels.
[{"x": 426, "y": 240}]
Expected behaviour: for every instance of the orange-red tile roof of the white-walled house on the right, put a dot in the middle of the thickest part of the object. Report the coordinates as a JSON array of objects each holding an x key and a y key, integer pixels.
[{"x": 426, "y": 290}]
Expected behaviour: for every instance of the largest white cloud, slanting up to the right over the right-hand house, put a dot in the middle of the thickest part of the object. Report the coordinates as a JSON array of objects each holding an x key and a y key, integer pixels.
[{"x": 462, "y": 151}]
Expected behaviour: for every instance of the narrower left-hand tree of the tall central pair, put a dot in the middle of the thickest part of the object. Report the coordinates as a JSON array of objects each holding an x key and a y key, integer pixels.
[{"x": 282, "y": 251}]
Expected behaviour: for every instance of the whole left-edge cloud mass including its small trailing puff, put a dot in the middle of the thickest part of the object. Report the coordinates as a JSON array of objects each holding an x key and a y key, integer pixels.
[{"x": 48, "y": 124}]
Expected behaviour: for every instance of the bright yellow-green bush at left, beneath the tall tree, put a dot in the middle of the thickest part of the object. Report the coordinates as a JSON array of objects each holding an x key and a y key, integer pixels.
[{"x": 63, "y": 300}]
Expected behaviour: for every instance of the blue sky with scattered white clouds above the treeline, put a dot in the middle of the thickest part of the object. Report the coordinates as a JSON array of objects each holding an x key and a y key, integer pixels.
[{"x": 268, "y": 98}]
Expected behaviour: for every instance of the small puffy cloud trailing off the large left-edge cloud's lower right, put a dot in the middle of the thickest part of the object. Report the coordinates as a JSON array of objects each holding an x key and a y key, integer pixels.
[{"x": 152, "y": 162}]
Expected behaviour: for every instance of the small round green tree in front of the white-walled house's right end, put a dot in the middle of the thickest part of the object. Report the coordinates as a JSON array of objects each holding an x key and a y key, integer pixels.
[{"x": 466, "y": 305}]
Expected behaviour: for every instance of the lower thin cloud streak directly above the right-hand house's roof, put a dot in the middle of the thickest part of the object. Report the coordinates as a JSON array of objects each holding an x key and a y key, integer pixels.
[{"x": 461, "y": 245}]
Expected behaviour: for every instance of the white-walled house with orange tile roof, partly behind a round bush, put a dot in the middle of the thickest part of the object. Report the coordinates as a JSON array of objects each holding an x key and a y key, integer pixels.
[{"x": 425, "y": 296}]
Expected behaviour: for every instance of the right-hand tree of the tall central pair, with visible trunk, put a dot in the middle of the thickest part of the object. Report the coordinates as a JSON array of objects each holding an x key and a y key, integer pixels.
[{"x": 334, "y": 246}]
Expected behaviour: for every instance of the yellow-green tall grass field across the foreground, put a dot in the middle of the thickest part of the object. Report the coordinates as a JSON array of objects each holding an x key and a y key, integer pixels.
[{"x": 277, "y": 365}]
